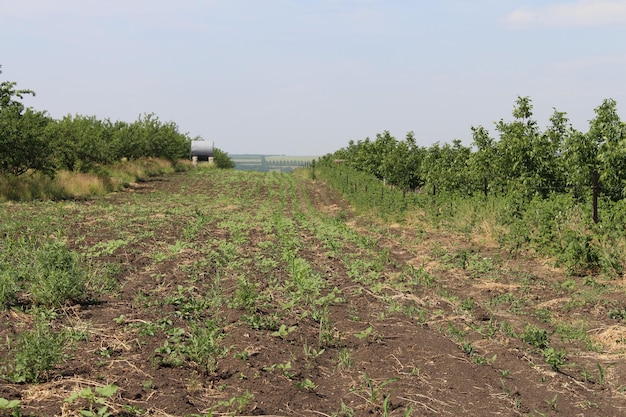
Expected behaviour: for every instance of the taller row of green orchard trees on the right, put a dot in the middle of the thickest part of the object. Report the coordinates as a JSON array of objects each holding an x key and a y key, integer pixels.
[{"x": 523, "y": 159}]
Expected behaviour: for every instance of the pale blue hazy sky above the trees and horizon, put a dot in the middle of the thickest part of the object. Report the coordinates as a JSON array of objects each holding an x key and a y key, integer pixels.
[{"x": 304, "y": 77}]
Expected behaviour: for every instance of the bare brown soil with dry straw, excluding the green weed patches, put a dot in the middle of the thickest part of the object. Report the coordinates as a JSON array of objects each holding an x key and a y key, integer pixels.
[{"x": 436, "y": 353}]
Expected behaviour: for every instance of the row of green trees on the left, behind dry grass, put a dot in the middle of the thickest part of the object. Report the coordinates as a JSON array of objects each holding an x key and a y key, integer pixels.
[{"x": 32, "y": 140}]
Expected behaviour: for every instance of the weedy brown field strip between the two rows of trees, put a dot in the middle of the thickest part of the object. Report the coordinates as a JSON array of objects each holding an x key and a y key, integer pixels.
[{"x": 245, "y": 293}]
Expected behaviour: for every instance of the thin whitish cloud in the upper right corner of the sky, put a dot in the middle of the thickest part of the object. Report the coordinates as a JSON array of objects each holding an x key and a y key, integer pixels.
[{"x": 582, "y": 13}]
